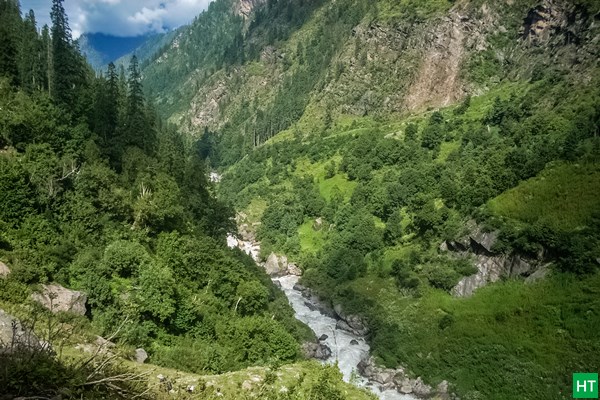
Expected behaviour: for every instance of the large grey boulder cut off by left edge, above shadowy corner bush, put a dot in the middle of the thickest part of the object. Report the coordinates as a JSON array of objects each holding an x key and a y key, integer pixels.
[{"x": 14, "y": 337}]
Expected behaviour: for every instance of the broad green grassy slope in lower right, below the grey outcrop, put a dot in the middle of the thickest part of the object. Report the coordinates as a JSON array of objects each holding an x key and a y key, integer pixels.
[{"x": 510, "y": 340}]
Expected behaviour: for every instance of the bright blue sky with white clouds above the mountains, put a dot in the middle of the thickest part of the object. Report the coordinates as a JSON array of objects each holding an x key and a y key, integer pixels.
[{"x": 119, "y": 17}]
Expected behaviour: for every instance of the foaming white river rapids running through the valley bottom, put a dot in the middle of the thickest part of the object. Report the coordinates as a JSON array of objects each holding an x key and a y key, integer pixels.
[{"x": 347, "y": 355}]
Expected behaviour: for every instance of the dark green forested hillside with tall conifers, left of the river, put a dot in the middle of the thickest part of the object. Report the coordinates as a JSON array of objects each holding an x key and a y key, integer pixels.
[{"x": 99, "y": 195}]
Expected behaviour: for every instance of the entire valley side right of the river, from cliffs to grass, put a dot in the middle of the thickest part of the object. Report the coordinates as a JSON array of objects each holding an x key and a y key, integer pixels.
[{"x": 406, "y": 154}]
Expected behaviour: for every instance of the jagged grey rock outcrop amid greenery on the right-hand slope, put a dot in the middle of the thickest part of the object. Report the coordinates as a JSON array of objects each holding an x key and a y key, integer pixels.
[{"x": 491, "y": 266}]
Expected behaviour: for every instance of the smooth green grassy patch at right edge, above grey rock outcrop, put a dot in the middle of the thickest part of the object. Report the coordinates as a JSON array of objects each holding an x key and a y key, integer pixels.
[{"x": 564, "y": 196}]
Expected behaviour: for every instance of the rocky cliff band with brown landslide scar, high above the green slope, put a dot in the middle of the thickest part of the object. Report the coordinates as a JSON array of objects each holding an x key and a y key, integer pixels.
[{"x": 389, "y": 64}]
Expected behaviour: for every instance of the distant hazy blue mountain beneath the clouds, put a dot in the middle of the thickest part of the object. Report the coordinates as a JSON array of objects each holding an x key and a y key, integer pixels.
[{"x": 100, "y": 49}]
